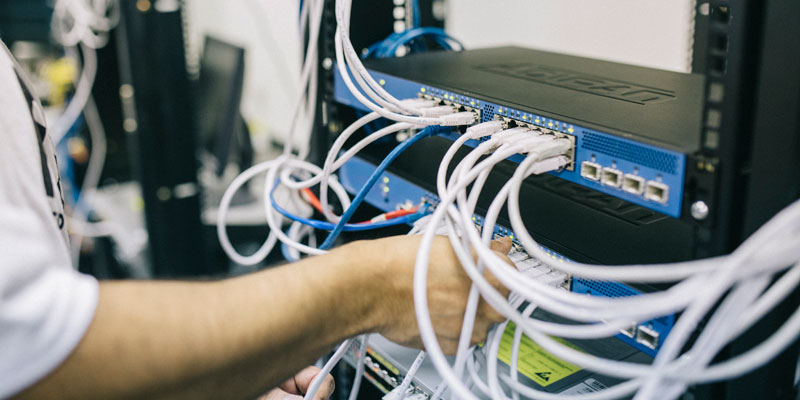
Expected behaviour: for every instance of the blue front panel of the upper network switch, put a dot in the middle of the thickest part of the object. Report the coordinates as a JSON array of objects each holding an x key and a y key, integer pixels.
[{"x": 639, "y": 162}]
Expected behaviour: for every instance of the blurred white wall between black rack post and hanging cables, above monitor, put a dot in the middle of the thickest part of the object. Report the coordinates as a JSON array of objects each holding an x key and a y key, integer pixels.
[{"x": 266, "y": 29}]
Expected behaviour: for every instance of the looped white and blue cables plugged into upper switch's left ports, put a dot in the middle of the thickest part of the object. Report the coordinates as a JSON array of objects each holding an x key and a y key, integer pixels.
[{"x": 292, "y": 172}]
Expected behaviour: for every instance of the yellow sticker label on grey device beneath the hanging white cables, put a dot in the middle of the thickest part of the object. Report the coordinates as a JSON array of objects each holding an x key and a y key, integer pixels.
[{"x": 534, "y": 361}]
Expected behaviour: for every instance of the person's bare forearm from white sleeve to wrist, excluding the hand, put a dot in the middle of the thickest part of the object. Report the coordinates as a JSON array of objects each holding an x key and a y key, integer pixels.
[{"x": 228, "y": 339}]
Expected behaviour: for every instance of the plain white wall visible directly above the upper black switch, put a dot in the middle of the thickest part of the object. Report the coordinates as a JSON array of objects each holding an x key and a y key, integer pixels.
[{"x": 651, "y": 33}]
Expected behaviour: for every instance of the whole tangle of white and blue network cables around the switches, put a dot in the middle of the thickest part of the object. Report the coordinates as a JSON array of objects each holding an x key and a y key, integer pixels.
[{"x": 743, "y": 293}]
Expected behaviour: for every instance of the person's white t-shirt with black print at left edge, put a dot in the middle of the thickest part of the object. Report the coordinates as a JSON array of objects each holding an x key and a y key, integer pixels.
[{"x": 45, "y": 305}]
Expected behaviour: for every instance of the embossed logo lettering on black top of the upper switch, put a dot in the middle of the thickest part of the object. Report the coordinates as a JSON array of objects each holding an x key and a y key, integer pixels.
[{"x": 584, "y": 83}]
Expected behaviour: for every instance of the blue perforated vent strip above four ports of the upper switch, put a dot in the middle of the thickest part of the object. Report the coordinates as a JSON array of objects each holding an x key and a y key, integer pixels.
[{"x": 659, "y": 160}]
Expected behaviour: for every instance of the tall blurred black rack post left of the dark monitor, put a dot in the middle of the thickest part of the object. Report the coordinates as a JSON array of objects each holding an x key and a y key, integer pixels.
[{"x": 159, "y": 117}]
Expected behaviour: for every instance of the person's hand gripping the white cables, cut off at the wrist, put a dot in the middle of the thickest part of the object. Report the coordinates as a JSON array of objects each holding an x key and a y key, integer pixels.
[{"x": 448, "y": 290}]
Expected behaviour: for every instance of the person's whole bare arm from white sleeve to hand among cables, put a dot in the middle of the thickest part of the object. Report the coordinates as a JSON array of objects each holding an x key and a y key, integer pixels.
[{"x": 240, "y": 337}]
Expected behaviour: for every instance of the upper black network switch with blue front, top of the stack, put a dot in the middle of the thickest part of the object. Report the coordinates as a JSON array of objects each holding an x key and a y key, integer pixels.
[{"x": 636, "y": 124}]
